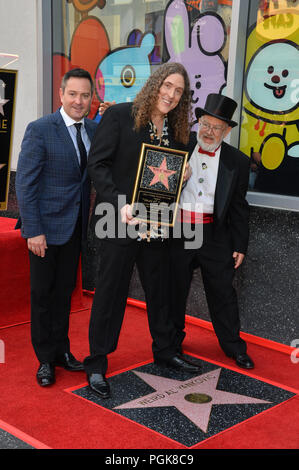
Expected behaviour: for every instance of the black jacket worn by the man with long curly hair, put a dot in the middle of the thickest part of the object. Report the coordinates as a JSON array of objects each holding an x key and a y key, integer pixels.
[{"x": 114, "y": 157}]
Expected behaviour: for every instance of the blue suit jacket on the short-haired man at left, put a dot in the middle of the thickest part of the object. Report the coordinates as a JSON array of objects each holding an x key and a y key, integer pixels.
[{"x": 49, "y": 184}]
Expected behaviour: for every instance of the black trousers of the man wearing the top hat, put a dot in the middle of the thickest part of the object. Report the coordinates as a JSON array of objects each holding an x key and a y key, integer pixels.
[{"x": 215, "y": 260}]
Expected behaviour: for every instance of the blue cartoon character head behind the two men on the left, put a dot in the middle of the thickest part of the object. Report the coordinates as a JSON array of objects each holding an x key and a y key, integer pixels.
[{"x": 123, "y": 72}]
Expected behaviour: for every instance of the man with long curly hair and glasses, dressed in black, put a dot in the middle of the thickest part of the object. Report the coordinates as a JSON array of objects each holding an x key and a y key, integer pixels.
[{"x": 159, "y": 115}]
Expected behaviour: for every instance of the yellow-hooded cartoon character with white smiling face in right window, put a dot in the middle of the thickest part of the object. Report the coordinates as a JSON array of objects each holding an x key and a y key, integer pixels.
[{"x": 270, "y": 104}]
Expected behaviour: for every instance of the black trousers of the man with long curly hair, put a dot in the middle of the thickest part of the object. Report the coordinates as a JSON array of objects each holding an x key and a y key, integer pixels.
[{"x": 116, "y": 267}]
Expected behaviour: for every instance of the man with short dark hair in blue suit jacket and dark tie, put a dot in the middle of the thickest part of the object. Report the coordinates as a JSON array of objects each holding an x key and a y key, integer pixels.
[{"x": 53, "y": 189}]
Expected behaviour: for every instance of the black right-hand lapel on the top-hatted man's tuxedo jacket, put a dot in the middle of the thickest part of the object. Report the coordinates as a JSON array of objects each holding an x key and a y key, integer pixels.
[{"x": 226, "y": 172}]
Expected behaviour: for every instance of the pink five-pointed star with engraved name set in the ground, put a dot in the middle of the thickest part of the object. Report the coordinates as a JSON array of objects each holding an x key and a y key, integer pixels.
[{"x": 193, "y": 397}]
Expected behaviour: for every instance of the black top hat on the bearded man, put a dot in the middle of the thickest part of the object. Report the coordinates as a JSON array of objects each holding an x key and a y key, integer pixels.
[{"x": 219, "y": 106}]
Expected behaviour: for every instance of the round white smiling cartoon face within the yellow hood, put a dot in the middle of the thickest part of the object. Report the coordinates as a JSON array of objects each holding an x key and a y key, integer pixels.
[{"x": 272, "y": 76}]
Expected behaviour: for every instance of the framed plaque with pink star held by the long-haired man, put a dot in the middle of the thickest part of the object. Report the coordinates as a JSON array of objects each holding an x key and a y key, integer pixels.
[{"x": 158, "y": 184}]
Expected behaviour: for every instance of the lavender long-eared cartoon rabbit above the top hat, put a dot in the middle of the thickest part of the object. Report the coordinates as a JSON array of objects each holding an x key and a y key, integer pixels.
[{"x": 198, "y": 49}]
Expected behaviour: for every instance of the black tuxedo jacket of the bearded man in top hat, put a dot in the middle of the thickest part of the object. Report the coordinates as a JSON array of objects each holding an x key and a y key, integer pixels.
[{"x": 231, "y": 208}]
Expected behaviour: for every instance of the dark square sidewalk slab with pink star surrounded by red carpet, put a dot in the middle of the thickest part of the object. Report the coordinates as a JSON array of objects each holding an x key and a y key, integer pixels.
[{"x": 185, "y": 407}]
